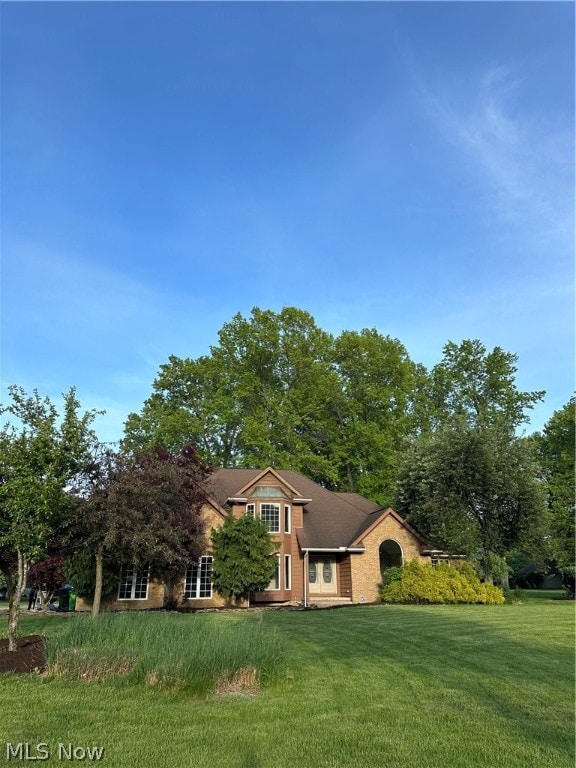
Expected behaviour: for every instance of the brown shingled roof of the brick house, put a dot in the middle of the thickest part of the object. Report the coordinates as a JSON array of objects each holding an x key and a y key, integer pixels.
[{"x": 331, "y": 520}]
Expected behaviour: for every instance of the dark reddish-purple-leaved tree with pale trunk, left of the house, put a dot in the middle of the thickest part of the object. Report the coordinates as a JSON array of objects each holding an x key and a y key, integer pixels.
[{"x": 143, "y": 509}]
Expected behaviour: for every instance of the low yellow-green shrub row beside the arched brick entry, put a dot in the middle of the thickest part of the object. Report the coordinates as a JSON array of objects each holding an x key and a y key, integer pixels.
[{"x": 421, "y": 583}]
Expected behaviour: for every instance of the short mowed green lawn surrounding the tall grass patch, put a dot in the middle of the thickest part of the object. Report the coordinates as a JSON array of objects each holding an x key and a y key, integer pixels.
[{"x": 365, "y": 686}]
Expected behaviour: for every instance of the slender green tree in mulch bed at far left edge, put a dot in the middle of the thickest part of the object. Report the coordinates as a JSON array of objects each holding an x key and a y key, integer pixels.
[{"x": 42, "y": 452}]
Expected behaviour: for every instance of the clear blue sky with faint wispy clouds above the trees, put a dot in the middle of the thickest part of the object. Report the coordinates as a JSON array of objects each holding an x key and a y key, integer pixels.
[{"x": 404, "y": 166}]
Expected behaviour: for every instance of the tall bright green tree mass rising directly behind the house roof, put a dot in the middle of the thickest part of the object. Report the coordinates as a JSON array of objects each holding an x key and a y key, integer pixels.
[{"x": 279, "y": 390}]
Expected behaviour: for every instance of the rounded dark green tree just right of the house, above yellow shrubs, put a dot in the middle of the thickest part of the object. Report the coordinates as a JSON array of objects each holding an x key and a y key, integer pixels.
[{"x": 473, "y": 491}]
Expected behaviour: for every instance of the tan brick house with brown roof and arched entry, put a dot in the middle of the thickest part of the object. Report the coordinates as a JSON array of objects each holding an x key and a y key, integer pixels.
[{"x": 333, "y": 547}]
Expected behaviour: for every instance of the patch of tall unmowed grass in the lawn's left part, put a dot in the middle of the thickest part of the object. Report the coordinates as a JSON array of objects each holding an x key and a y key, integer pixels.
[{"x": 198, "y": 654}]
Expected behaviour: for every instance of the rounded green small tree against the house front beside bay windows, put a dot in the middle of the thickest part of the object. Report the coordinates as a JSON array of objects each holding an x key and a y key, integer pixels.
[{"x": 244, "y": 558}]
